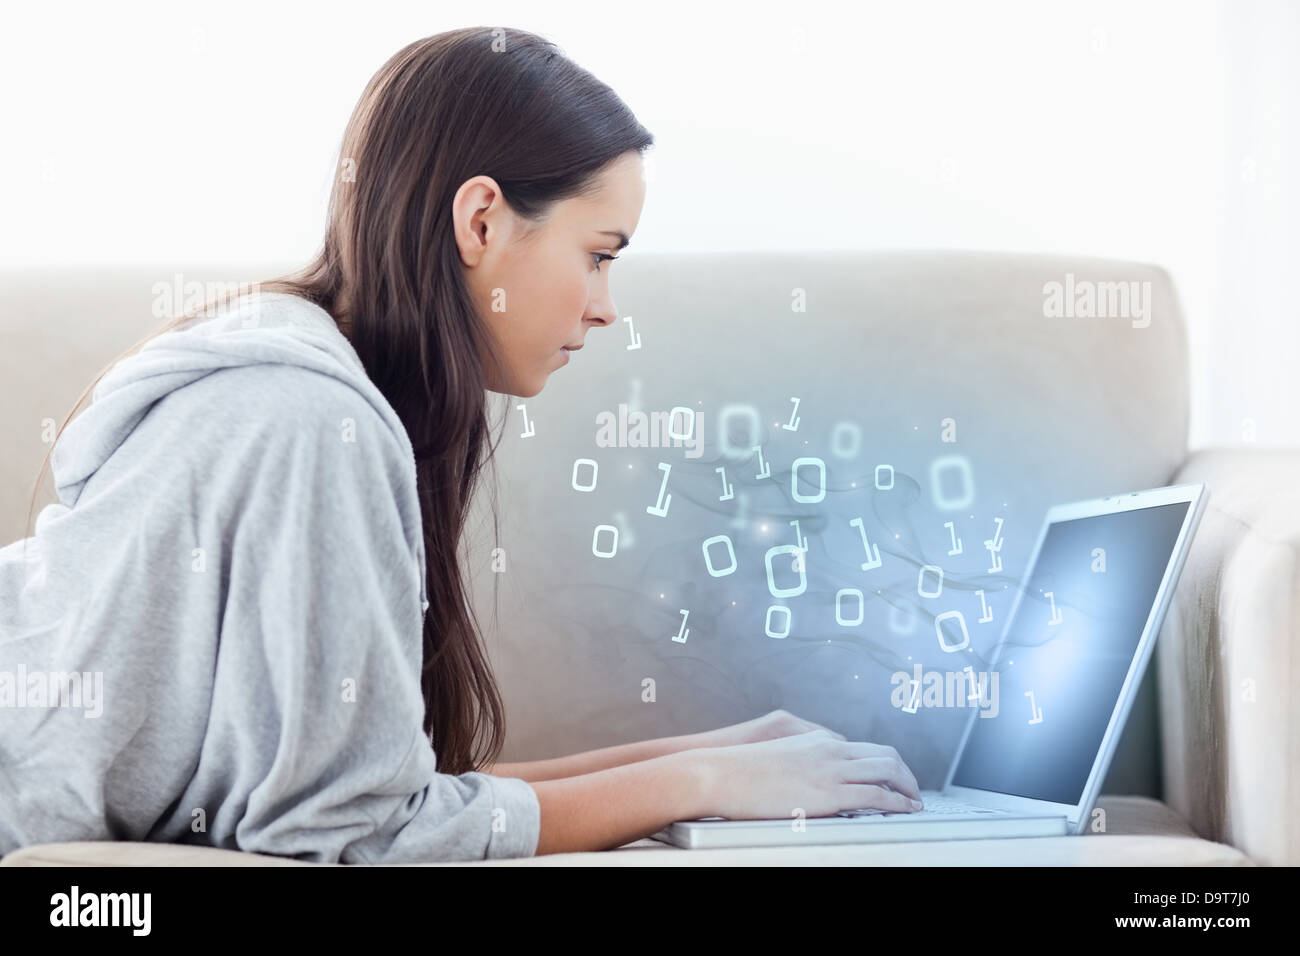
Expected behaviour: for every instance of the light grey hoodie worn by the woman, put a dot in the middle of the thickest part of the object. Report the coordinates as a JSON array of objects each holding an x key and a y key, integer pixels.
[{"x": 215, "y": 638}]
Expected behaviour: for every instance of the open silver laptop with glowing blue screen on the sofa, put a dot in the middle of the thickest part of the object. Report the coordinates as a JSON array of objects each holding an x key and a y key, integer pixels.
[{"x": 1071, "y": 660}]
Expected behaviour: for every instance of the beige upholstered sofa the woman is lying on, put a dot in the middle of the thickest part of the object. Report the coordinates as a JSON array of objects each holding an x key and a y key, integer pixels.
[{"x": 870, "y": 358}]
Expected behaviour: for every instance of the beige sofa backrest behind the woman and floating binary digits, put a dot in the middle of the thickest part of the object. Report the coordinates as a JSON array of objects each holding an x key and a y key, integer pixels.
[{"x": 920, "y": 388}]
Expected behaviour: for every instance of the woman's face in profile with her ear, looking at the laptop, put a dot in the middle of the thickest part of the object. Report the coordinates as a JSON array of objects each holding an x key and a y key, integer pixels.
[{"x": 540, "y": 293}]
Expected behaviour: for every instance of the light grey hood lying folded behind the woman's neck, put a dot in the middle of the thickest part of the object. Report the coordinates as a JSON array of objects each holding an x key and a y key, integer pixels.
[{"x": 261, "y": 328}]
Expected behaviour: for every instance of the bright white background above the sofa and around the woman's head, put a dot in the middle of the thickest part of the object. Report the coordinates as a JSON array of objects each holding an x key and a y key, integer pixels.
[{"x": 1159, "y": 132}]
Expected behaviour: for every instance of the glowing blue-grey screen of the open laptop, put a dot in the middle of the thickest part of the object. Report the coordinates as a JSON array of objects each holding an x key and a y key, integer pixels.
[{"x": 1095, "y": 578}]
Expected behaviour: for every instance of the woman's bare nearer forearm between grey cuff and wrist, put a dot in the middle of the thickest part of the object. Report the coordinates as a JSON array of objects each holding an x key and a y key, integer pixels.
[{"x": 609, "y": 808}]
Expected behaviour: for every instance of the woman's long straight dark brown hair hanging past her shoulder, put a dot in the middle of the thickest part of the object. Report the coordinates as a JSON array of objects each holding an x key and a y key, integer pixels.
[{"x": 476, "y": 101}]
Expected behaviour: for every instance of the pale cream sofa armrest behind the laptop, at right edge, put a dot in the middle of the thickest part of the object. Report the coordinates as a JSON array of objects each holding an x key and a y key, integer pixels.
[{"x": 1229, "y": 657}]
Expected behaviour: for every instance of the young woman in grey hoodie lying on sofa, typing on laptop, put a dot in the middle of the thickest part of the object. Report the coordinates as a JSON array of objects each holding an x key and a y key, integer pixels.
[{"x": 261, "y": 512}]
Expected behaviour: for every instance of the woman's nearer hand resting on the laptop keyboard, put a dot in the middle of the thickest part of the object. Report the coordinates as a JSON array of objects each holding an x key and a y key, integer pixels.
[{"x": 817, "y": 775}]
